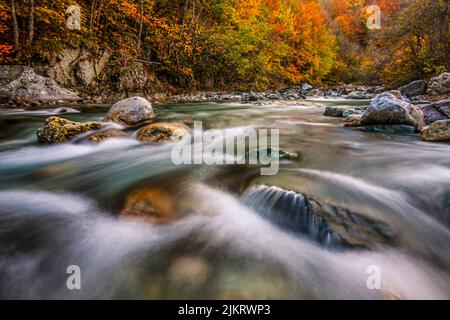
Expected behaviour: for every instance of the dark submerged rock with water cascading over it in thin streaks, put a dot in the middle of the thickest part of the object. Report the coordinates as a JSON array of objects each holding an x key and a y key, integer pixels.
[{"x": 330, "y": 226}]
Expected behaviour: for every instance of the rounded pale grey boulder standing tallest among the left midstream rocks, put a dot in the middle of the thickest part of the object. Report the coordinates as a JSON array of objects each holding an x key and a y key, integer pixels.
[{"x": 131, "y": 112}]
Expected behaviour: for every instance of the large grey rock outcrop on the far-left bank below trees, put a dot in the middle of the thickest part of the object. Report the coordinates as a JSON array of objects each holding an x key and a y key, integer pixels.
[{"x": 30, "y": 87}]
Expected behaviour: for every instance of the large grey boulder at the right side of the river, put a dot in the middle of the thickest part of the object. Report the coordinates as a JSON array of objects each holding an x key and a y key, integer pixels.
[{"x": 385, "y": 108}]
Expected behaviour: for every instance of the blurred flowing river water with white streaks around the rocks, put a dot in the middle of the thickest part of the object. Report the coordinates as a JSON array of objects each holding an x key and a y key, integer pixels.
[{"x": 238, "y": 235}]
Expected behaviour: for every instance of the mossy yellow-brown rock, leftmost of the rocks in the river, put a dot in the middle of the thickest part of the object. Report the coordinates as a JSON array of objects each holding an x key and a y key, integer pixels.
[{"x": 59, "y": 130}]
